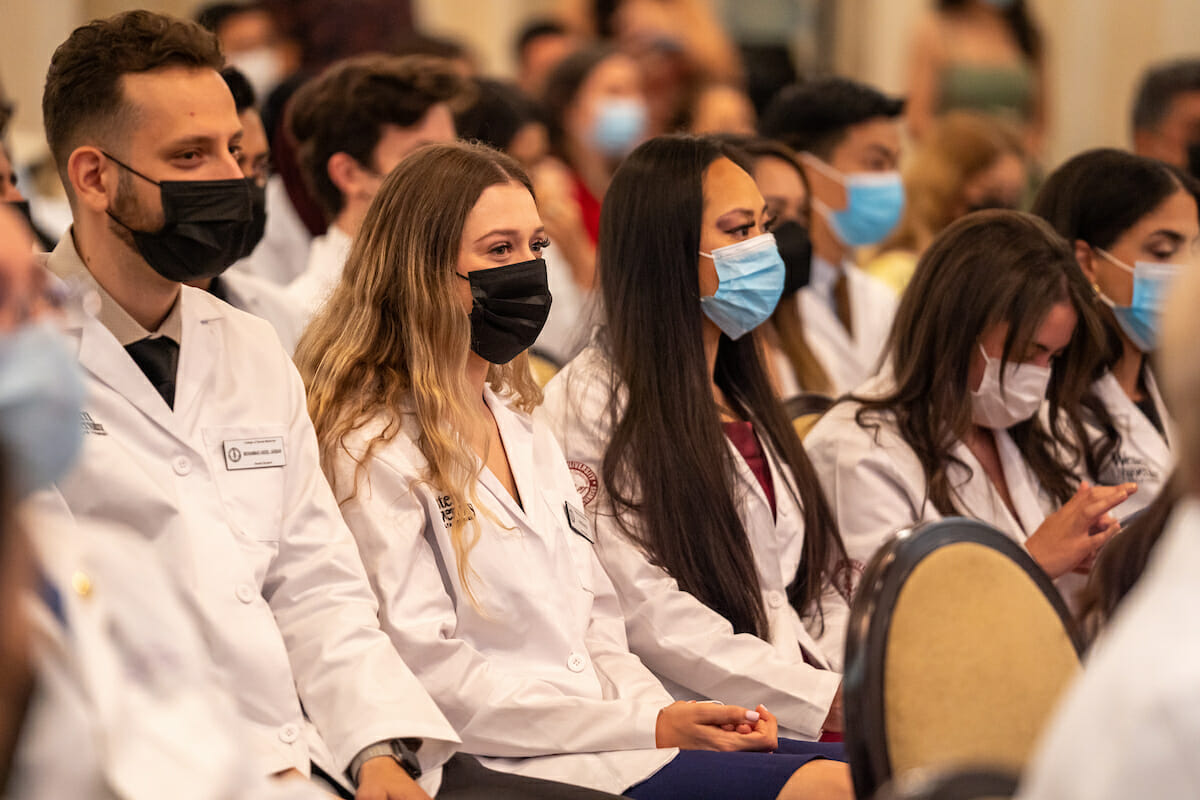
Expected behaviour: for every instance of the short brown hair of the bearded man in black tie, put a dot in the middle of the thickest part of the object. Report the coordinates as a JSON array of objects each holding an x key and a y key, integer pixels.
[{"x": 83, "y": 98}]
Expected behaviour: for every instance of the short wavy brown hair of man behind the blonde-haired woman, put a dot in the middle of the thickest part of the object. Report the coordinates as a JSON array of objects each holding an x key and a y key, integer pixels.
[{"x": 346, "y": 109}]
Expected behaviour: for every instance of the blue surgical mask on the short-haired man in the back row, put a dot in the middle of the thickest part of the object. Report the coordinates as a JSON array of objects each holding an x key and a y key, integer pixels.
[{"x": 874, "y": 204}]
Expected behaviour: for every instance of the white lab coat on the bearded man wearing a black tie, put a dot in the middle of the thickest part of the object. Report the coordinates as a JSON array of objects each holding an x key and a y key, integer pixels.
[{"x": 262, "y": 555}]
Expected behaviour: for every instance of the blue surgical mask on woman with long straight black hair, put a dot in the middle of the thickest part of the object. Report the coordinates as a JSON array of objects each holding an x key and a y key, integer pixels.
[{"x": 752, "y": 281}]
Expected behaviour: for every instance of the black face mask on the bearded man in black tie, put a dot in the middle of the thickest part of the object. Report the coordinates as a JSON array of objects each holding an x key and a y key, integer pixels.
[{"x": 207, "y": 227}]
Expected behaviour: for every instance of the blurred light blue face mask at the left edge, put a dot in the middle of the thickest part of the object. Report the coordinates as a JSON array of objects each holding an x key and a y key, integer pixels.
[{"x": 41, "y": 399}]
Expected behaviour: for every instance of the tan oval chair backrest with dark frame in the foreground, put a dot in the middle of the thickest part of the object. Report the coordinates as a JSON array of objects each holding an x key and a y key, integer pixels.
[{"x": 959, "y": 647}]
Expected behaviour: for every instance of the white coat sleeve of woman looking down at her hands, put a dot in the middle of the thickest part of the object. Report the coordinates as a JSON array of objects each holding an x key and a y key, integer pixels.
[{"x": 871, "y": 494}]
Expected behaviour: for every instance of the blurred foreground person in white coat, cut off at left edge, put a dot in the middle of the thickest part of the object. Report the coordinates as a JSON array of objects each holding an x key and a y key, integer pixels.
[{"x": 121, "y": 665}]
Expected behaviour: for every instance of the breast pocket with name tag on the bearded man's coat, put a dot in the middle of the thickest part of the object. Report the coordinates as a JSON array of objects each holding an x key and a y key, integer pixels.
[{"x": 248, "y": 465}]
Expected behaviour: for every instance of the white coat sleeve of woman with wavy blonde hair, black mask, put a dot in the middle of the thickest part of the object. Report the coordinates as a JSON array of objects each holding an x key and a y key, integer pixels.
[{"x": 497, "y": 713}]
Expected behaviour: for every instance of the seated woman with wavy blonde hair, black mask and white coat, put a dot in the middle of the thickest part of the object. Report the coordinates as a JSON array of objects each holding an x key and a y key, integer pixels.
[{"x": 467, "y": 516}]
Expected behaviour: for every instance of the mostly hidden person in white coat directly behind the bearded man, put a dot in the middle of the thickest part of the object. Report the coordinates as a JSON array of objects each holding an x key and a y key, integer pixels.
[{"x": 239, "y": 288}]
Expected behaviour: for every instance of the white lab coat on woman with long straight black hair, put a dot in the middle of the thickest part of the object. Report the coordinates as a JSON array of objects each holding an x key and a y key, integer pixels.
[{"x": 692, "y": 648}]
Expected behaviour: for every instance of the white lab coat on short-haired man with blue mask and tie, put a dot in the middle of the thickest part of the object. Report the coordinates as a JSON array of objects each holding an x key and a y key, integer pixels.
[{"x": 848, "y": 360}]
